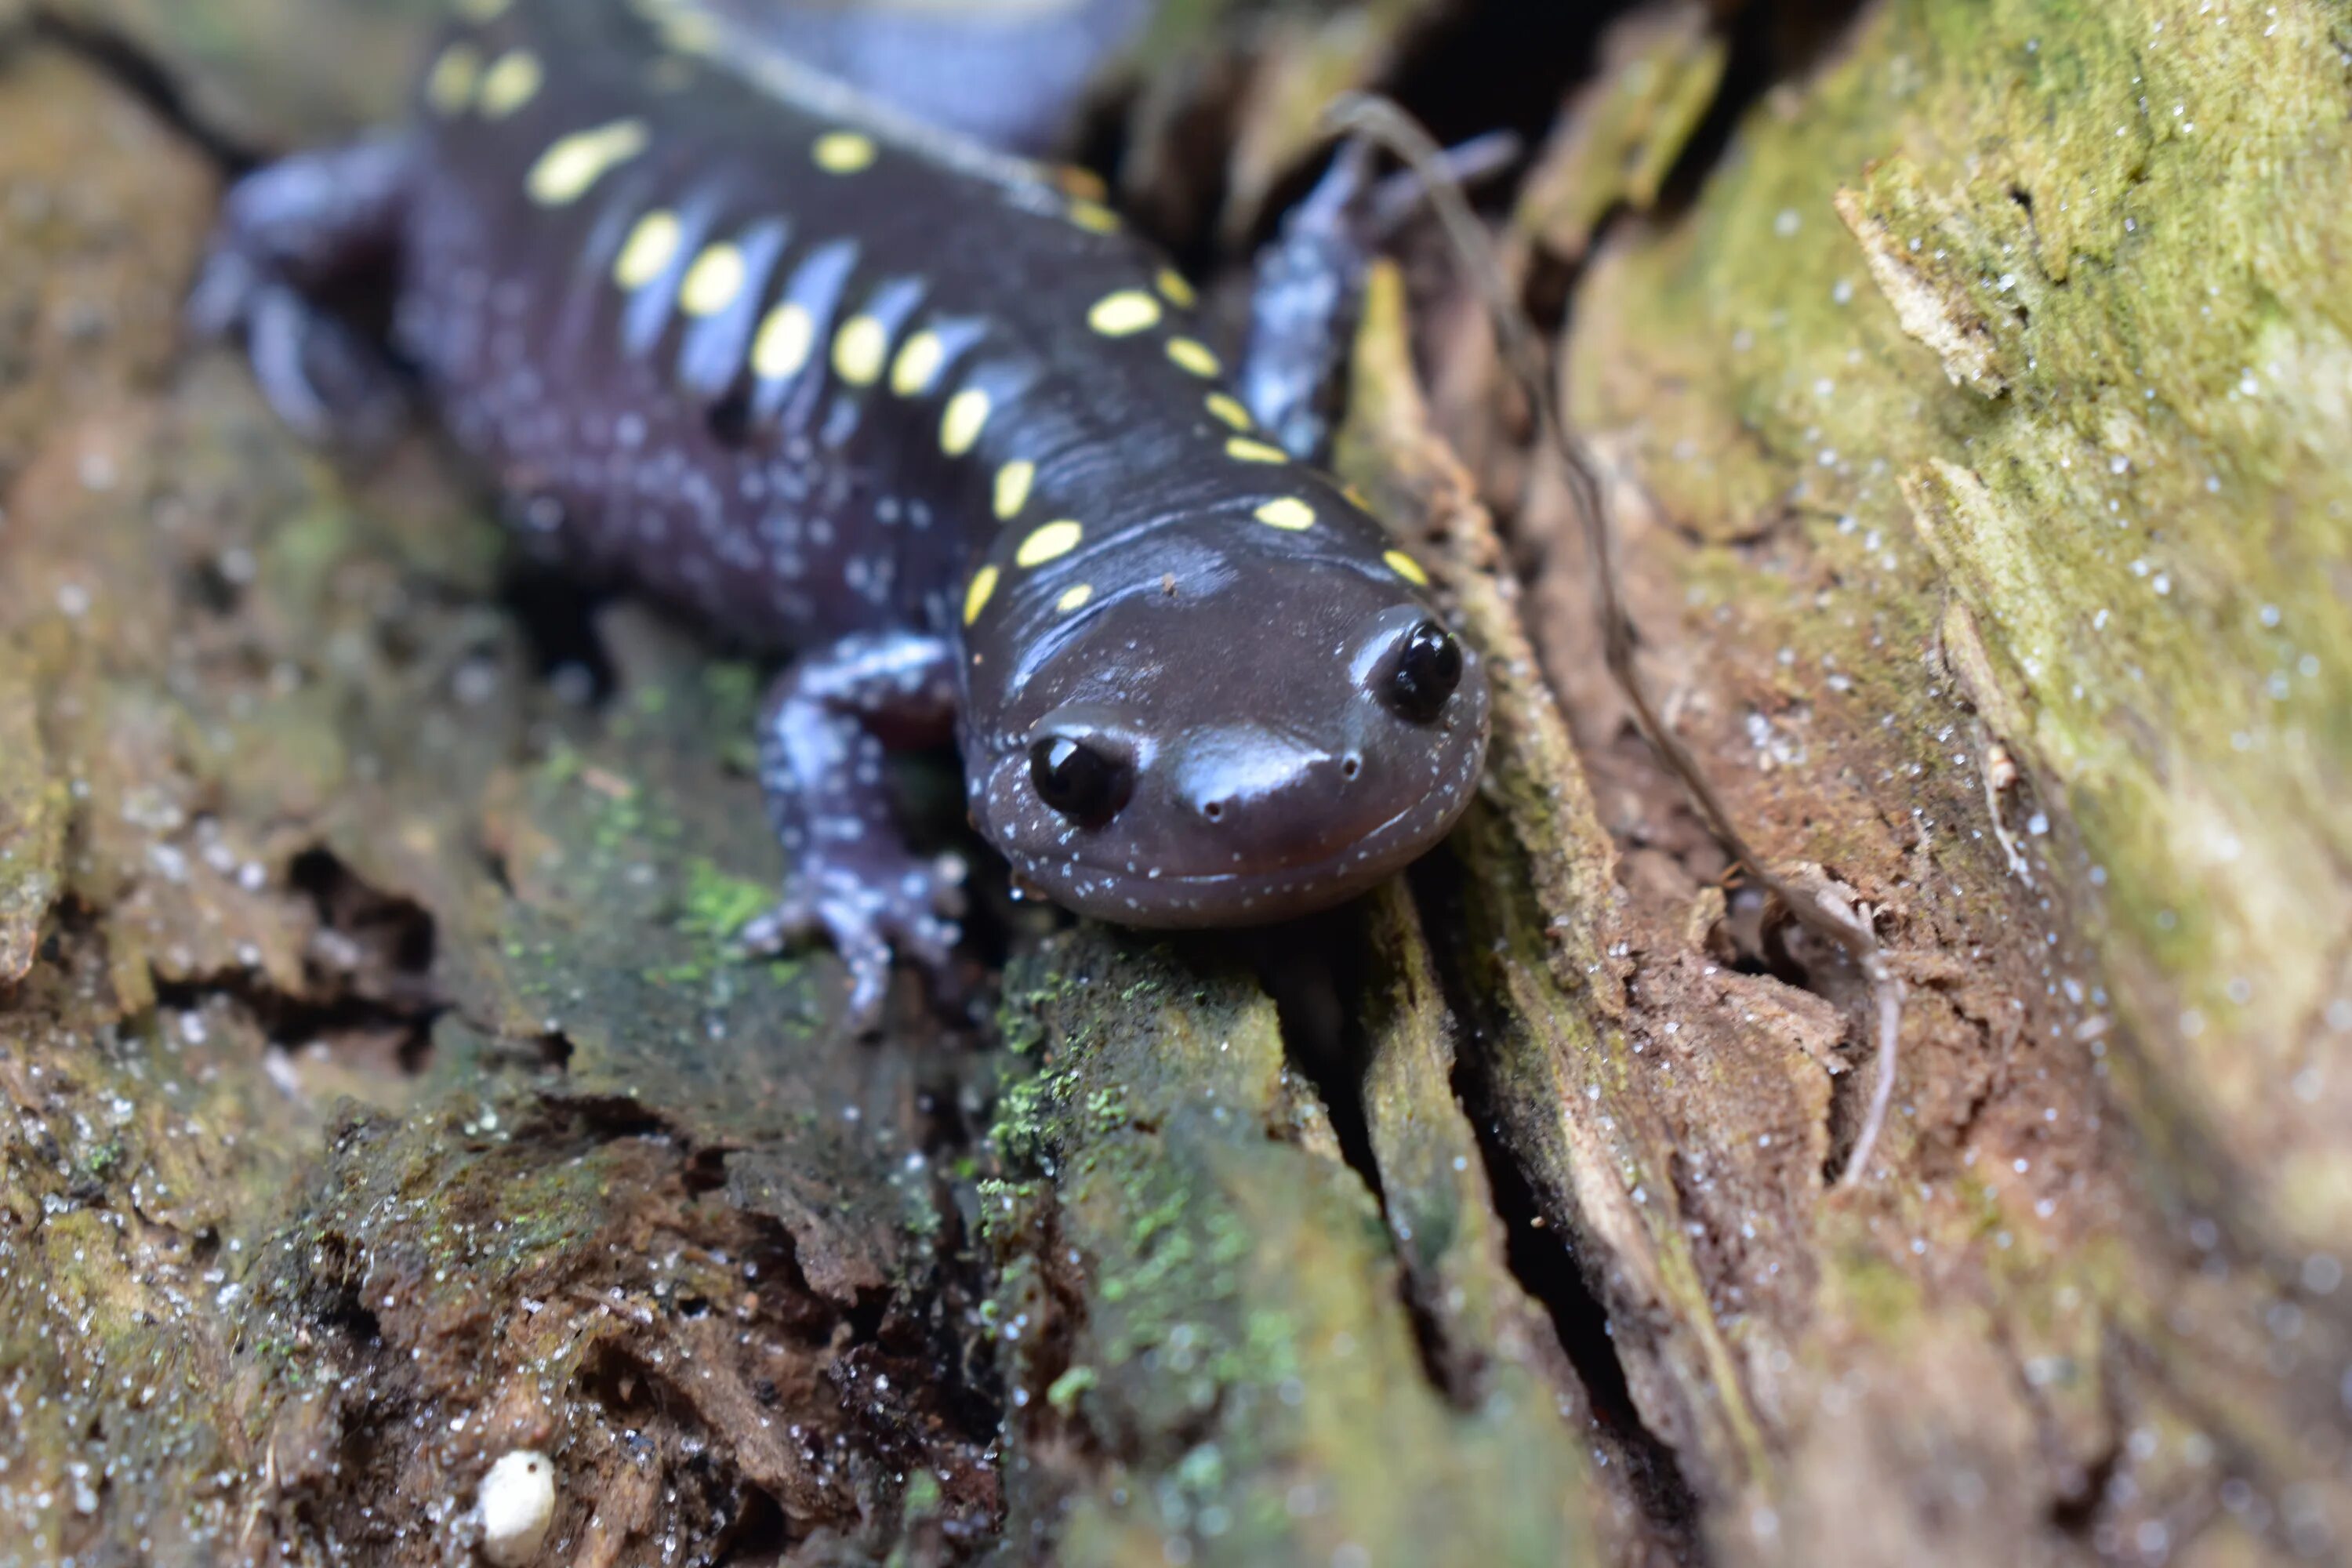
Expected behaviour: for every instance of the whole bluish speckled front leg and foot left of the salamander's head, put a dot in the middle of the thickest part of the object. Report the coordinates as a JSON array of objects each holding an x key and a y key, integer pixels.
[{"x": 822, "y": 744}]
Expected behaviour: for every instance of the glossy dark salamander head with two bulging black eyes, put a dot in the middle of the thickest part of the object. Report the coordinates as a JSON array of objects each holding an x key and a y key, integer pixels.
[{"x": 1262, "y": 744}]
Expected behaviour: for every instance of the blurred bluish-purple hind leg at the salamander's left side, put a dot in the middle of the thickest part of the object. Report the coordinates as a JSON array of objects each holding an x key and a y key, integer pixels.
[{"x": 290, "y": 236}]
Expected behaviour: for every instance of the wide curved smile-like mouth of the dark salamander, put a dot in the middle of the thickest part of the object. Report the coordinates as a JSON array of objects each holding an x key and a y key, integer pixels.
[{"x": 1252, "y": 897}]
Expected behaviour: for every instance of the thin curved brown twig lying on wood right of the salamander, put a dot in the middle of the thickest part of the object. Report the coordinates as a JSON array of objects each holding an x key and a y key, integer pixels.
[{"x": 1384, "y": 123}]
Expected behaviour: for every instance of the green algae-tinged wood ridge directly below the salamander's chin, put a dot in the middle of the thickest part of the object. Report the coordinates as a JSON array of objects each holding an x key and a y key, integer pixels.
[{"x": 1208, "y": 1296}]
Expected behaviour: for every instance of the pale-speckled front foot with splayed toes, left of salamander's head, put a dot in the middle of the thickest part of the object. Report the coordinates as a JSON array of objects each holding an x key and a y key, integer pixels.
[{"x": 871, "y": 913}]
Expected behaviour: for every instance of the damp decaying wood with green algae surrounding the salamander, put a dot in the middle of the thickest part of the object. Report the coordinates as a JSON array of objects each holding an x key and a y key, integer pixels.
[{"x": 380, "y": 1087}]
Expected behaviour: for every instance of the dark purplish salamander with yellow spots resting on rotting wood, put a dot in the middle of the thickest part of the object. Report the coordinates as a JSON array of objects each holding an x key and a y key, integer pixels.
[{"x": 926, "y": 415}]
